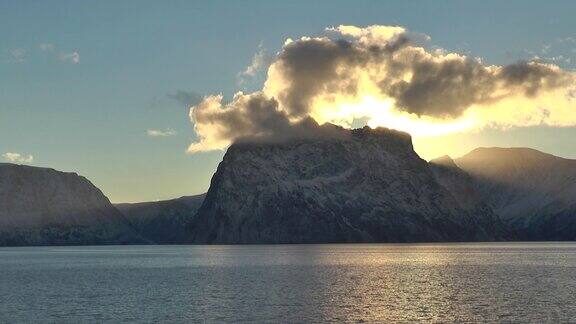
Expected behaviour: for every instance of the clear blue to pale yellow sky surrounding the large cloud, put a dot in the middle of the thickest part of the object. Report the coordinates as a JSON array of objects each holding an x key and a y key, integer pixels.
[{"x": 104, "y": 88}]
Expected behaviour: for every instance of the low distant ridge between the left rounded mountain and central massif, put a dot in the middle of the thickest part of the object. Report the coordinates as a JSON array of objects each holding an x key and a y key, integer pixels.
[{"x": 162, "y": 222}]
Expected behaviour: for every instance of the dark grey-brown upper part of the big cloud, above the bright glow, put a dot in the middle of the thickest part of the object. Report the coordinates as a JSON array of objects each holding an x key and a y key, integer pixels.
[{"x": 420, "y": 81}]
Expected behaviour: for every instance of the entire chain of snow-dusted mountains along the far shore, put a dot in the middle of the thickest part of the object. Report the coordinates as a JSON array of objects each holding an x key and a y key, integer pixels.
[{"x": 363, "y": 185}]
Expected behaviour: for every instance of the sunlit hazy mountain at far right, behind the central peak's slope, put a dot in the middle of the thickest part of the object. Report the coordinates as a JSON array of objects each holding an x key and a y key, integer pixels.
[{"x": 533, "y": 192}]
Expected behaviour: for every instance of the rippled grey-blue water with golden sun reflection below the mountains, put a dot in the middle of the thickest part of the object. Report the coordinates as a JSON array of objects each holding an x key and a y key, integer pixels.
[{"x": 290, "y": 283}]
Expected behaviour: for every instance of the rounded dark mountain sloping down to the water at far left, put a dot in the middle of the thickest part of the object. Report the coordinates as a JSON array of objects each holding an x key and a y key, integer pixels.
[{"x": 40, "y": 206}]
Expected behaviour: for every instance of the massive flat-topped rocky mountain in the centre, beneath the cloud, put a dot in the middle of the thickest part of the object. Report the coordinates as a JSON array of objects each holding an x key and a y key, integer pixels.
[{"x": 363, "y": 185}]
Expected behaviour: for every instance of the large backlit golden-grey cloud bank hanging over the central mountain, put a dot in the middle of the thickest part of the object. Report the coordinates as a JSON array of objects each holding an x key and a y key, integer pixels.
[{"x": 383, "y": 74}]
